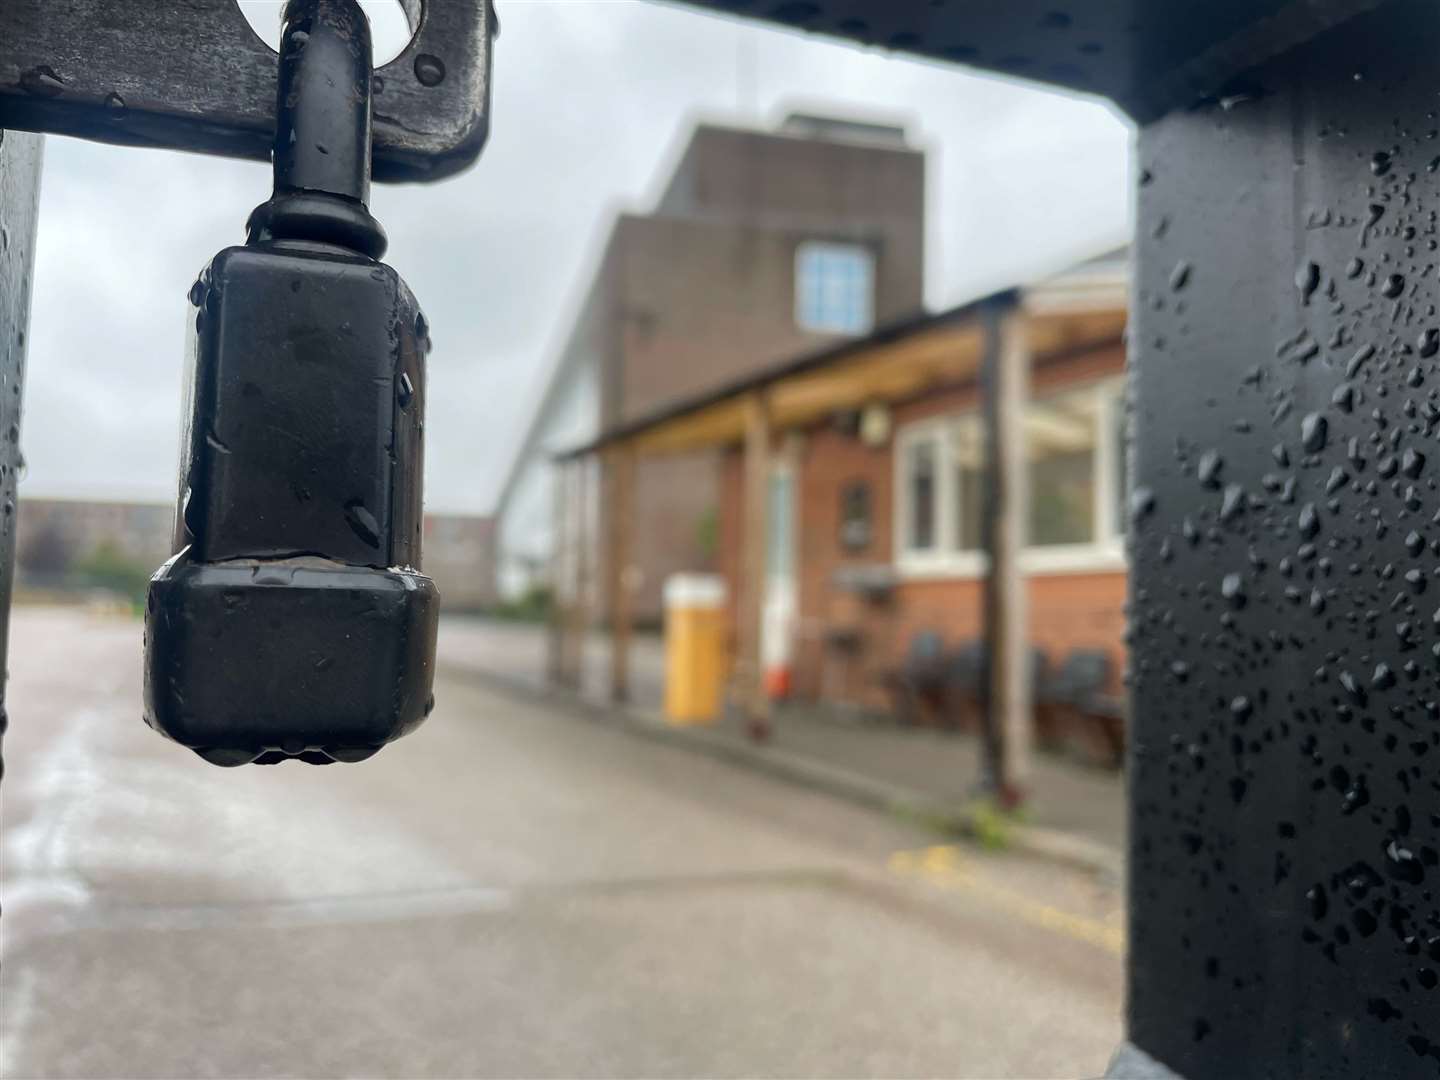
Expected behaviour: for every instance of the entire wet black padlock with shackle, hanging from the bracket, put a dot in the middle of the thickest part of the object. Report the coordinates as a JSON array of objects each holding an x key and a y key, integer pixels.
[{"x": 294, "y": 621}]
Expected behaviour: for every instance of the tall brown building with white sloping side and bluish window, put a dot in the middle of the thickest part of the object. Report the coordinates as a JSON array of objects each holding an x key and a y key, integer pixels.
[{"x": 764, "y": 246}]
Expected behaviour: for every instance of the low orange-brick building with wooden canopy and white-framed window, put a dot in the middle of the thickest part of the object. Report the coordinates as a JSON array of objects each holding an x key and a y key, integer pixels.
[{"x": 872, "y": 454}]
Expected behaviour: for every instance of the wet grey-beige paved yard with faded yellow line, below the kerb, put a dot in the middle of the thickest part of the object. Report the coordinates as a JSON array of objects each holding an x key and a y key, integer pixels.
[{"x": 509, "y": 892}]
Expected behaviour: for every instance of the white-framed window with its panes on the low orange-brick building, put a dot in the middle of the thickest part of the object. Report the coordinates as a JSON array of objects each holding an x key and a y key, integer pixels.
[{"x": 1075, "y": 446}]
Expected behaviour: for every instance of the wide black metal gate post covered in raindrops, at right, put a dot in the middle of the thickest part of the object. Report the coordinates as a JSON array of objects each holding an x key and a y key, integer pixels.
[{"x": 1285, "y": 536}]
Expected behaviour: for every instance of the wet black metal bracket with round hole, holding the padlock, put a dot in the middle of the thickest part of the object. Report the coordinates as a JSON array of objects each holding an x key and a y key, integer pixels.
[{"x": 194, "y": 76}]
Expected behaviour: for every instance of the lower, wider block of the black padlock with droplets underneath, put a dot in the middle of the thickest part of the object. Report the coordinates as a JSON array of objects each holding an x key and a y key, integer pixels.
[{"x": 263, "y": 660}]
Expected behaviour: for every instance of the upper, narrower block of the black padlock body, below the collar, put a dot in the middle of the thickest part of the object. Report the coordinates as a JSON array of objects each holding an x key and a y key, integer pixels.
[{"x": 307, "y": 415}]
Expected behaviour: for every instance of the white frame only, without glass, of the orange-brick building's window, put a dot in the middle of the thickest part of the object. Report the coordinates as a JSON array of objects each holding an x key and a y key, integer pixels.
[{"x": 1105, "y": 554}]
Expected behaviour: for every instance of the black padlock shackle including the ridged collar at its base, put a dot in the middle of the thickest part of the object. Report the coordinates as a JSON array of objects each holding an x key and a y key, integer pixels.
[{"x": 323, "y": 132}]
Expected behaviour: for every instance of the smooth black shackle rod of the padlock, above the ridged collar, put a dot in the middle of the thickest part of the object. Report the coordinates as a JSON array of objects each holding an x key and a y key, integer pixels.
[{"x": 323, "y": 100}]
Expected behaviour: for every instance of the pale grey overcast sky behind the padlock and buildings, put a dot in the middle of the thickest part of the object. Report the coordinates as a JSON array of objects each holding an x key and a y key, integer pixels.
[{"x": 593, "y": 102}]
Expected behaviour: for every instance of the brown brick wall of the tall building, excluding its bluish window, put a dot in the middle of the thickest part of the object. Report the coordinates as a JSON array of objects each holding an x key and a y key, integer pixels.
[{"x": 702, "y": 293}]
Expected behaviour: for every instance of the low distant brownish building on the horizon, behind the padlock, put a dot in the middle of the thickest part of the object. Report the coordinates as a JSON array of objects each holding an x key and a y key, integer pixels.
[{"x": 63, "y": 542}]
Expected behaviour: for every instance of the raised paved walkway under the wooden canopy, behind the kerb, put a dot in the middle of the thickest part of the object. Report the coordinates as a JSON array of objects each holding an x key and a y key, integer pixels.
[{"x": 942, "y": 767}]
